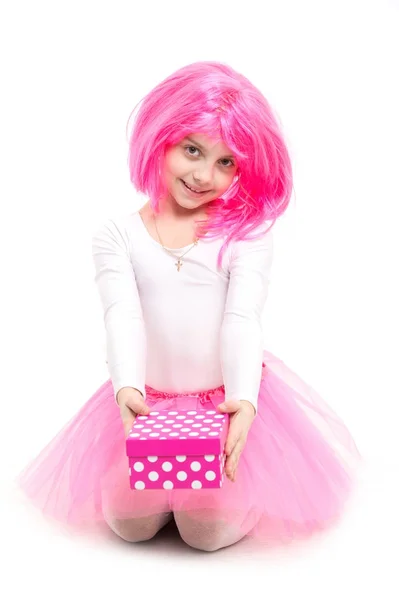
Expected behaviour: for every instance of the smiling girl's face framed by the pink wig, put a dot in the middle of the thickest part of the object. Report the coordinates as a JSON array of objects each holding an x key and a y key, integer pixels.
[{"x": 198, "y": 170}]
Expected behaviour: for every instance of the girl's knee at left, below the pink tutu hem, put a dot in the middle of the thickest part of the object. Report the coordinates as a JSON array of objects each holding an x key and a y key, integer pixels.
[{"x": 138, "y": 529}]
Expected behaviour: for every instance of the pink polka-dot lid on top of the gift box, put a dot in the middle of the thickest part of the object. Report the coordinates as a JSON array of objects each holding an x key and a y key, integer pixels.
[{"x": 178, "y": 432}]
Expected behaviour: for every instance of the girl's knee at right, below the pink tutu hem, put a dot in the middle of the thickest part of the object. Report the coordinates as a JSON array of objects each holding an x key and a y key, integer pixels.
[{"x": 199, "y": 531}]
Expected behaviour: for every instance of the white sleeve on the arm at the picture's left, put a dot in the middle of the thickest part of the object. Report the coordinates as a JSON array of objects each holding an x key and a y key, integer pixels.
[{"x": 126, "y": 344}]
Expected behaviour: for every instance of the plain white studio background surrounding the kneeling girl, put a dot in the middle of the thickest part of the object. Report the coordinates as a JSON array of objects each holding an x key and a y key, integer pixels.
[{"x": 71, "y": 74}]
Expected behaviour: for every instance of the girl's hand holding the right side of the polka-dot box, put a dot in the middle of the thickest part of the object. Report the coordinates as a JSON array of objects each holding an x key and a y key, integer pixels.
[{"x": 243, "y": 413}]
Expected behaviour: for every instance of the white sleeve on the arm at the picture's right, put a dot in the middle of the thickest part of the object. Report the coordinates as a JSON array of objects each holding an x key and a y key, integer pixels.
[{"x": 241, "y": 332}]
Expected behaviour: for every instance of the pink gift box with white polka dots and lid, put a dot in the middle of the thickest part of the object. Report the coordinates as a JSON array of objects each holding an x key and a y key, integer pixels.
[{"x": 177, "y": 449}]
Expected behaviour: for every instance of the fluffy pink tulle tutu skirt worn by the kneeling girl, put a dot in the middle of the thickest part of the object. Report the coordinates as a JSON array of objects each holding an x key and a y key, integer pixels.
[{"x": 295, "y": 474}]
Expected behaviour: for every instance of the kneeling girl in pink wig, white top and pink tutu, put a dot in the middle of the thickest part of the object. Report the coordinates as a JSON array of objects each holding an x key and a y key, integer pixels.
[{"x": 183, "y": 283}]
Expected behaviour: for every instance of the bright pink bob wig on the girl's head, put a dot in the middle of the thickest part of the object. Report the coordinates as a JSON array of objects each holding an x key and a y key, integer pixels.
[{"x": 213, "y": 99}]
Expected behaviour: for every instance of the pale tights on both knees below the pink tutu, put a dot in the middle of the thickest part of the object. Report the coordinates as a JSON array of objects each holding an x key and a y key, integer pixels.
[{"x": 198, "y": 532}]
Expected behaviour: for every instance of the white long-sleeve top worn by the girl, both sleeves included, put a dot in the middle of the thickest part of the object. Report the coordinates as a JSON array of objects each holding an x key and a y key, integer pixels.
[{"x": 181, "y": 331}]
